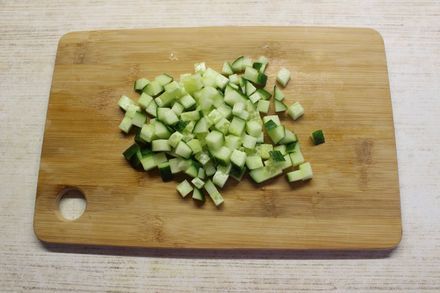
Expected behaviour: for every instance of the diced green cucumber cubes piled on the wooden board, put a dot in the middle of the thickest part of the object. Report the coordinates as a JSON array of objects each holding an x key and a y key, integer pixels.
[{"x": 210, "y": 126}]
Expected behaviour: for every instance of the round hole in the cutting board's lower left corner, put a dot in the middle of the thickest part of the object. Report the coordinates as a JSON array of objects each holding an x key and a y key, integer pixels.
[{"x": 72, "y": 203}]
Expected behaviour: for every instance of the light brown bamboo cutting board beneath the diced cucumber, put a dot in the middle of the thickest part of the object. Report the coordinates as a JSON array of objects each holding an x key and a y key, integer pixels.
[{"x": 339, "y": 76}]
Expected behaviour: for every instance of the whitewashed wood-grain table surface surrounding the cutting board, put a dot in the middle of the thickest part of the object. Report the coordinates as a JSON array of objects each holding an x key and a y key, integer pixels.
[{"x": 29, "y": 32}]
